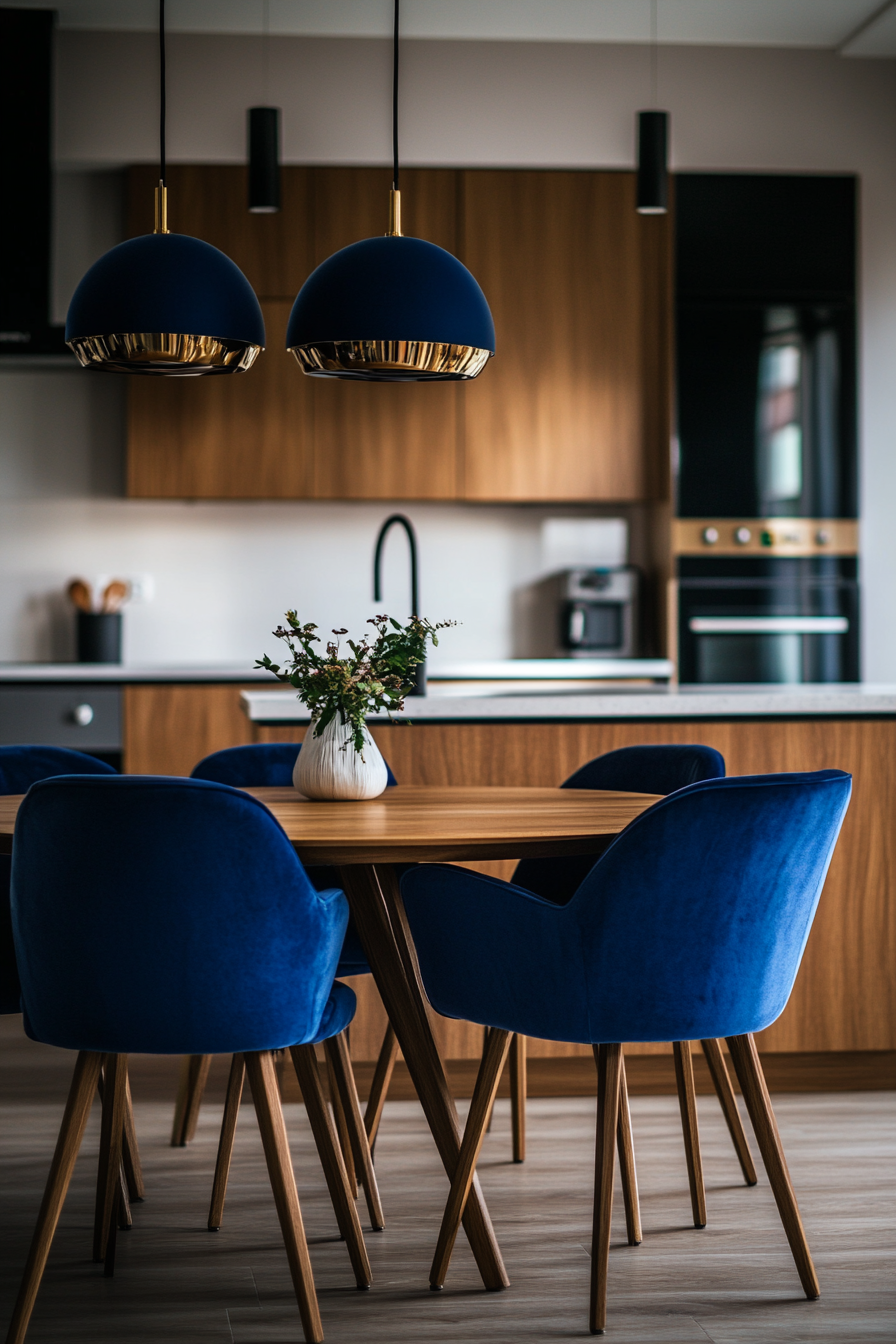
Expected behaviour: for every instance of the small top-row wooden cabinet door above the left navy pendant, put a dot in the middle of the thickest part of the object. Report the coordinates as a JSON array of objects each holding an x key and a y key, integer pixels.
[{"x": 212, "y": 202}]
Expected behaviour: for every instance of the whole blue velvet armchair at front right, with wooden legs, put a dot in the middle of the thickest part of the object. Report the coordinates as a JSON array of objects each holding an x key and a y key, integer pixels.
[{"x": 692, "y": 925}]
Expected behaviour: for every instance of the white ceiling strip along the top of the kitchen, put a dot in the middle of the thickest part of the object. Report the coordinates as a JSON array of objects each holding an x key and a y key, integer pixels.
[{"x": 854, "y": 28}]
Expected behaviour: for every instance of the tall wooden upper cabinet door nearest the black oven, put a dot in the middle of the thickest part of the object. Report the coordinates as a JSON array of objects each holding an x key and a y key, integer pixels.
[{"x": 561, "y": 413}]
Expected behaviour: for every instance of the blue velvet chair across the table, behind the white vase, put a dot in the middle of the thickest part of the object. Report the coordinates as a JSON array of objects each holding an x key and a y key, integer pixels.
[{"x": 271, "y": 765}]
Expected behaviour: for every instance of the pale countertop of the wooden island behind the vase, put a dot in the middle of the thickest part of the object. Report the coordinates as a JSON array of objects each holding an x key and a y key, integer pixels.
[{"x": 691, "y": 702}]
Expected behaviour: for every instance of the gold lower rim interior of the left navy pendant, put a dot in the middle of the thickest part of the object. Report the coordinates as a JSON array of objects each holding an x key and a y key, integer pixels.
[{"x": 165, "y": 353}]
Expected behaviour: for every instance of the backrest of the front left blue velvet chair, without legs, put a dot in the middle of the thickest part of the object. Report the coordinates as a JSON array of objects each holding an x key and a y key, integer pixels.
[{"x": 169, "y": 917}]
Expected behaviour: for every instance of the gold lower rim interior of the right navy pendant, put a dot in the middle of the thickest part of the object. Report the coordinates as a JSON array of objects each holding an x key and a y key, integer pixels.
[{"x": 392, "y": 360}]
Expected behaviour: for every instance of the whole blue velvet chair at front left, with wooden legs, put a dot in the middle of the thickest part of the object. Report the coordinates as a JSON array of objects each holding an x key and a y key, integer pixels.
[{"x": 174, "y": 917}]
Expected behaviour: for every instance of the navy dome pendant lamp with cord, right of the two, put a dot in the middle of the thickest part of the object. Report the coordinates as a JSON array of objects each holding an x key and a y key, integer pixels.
[{"x": 392, "y": 310}]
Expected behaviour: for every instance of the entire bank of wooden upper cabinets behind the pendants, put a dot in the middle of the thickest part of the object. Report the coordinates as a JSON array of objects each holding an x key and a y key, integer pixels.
[{"x": 574, "y": 407}]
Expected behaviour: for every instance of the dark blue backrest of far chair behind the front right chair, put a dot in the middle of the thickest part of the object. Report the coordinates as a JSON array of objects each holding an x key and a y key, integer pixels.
[{"x": 643, "y": 769}]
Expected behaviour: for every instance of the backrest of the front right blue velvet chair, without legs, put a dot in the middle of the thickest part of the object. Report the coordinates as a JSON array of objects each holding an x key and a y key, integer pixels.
[{"x": 694, "y": 923}]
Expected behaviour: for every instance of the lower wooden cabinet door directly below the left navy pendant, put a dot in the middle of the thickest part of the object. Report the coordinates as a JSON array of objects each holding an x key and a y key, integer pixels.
[{"x": 233, "y": 436}]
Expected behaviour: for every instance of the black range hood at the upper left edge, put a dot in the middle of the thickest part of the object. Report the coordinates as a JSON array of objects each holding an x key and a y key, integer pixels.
[{"x": 26, "y": 170}]
